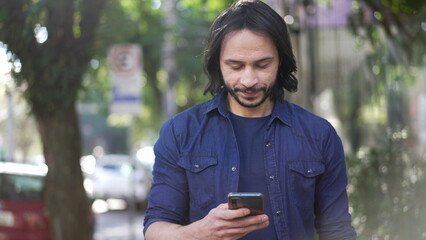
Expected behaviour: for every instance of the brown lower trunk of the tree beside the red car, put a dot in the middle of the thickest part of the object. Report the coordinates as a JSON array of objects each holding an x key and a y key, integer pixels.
[{"x": 68, "y": 205}]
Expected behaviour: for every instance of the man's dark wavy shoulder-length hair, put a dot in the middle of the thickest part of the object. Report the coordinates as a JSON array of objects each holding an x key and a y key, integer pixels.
[{"x": 258, "y": 17}]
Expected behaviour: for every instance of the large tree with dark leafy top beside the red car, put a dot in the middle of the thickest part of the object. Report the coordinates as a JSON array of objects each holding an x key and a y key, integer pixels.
[{"x": 52, "y": 74}]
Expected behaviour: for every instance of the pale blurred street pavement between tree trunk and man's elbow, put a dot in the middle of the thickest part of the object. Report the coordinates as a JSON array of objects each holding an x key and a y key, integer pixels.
[{"x": 119, "y": 225}]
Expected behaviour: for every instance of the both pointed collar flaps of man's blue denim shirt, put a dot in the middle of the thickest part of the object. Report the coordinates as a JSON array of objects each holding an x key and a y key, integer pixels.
[{"x": 282, "y": 109}]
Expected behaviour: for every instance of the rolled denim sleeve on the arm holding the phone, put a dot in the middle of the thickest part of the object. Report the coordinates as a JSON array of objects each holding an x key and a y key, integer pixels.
[{"x": 168, "y": 200}]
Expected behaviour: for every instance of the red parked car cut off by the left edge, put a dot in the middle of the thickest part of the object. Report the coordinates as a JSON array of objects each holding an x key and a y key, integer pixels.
[{"x": 22, "y": 210}]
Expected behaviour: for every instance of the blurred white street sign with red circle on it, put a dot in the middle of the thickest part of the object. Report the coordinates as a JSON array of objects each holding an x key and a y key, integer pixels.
[{"x": 126, "y": 78}]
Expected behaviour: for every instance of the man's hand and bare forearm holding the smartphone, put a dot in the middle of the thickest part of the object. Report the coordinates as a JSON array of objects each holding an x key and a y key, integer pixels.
[{"x": 220, "y": 223}]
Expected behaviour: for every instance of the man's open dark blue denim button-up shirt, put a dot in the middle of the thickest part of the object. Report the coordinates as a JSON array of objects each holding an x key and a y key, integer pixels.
[{"x": 197, "y": 165}]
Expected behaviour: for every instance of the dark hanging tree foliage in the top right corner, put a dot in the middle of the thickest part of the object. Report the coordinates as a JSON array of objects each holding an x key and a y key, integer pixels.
[{"x": 401, "y": 24}]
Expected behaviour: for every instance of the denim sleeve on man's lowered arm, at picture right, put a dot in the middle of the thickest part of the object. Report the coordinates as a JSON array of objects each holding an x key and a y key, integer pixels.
[{"x": 333, "y": 220}]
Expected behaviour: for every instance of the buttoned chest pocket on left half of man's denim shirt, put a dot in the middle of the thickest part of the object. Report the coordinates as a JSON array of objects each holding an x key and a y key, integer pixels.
[{"x": 201, "y": 178}]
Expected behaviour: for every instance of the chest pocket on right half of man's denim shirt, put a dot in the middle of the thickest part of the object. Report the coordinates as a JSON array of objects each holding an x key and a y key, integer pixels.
[{"x": 302, "y": 179}]
